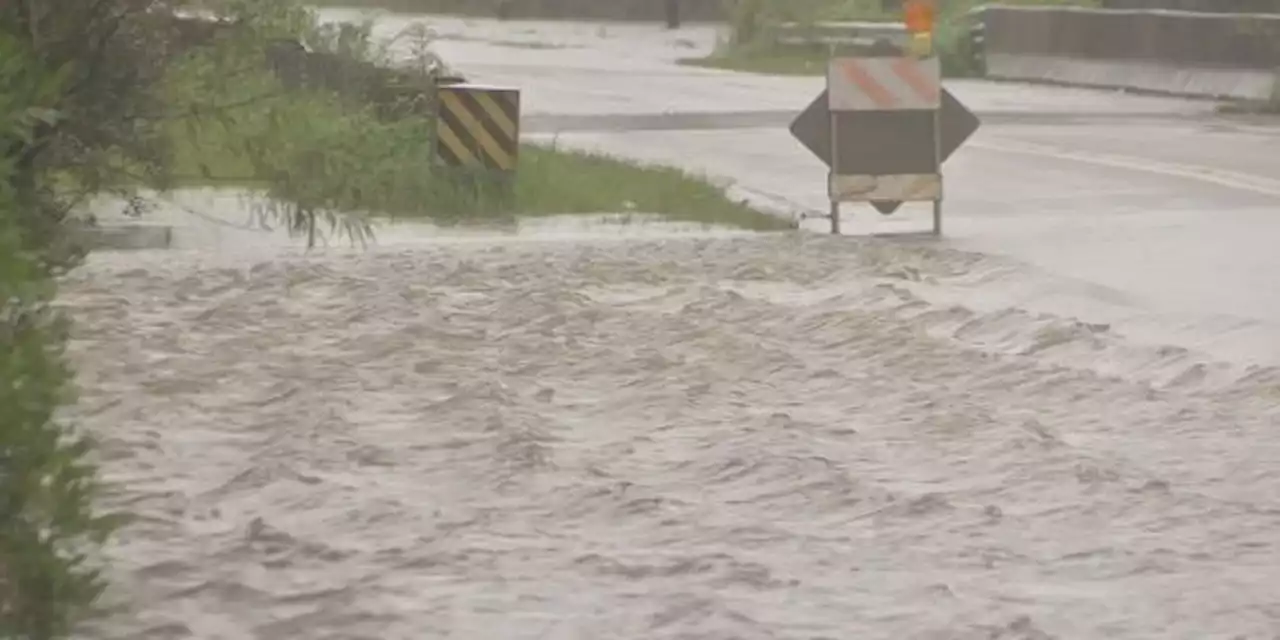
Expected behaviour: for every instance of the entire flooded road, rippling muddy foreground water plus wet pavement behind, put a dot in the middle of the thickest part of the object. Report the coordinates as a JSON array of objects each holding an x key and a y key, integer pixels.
[{"x": 1059, "y": 422}]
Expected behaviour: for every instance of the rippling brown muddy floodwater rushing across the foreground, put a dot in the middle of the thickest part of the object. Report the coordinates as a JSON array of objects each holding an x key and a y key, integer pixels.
[{"x": 774, "y": 437}]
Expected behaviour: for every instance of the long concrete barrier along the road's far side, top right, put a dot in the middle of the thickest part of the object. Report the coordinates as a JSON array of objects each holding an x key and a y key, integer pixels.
[{"x": 1167, "y": 52}]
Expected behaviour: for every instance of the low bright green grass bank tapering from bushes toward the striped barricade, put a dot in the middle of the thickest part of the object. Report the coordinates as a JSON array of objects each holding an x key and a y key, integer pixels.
[{"x": 404, "y": 182}]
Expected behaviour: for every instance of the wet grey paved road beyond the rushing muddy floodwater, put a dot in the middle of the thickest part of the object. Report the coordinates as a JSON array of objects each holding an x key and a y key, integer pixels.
[{"x": 1148, "y": 213}]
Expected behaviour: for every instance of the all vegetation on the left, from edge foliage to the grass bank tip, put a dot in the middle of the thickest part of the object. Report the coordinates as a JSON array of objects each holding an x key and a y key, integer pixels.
[{"x": 118, "y": 97}]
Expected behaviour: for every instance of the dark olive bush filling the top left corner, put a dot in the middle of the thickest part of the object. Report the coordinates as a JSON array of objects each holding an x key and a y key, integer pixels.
[{"x": 89, "y": 68}]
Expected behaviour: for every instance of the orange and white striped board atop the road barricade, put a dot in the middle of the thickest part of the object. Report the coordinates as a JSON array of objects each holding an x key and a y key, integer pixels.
[{"x": 884, "y": 84}]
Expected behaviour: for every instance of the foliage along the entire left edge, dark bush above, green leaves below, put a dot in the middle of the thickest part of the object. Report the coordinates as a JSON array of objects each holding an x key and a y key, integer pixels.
[{"x": 76, "y": 81}]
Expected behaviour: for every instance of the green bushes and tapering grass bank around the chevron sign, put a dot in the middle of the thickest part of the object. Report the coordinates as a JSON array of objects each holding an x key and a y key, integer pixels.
[{"x": 332, "y": 153}]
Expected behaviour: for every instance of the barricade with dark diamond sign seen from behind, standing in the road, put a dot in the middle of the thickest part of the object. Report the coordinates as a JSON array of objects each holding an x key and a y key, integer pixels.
[{"x": 884, "y": 143}]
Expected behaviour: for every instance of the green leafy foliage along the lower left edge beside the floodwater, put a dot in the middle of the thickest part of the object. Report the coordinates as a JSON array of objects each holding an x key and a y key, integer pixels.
[{"x": 49, "y": 528}]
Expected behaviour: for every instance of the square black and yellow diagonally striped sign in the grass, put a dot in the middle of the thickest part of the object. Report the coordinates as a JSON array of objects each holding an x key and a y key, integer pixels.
[{"x": 479, "y": 127}]
